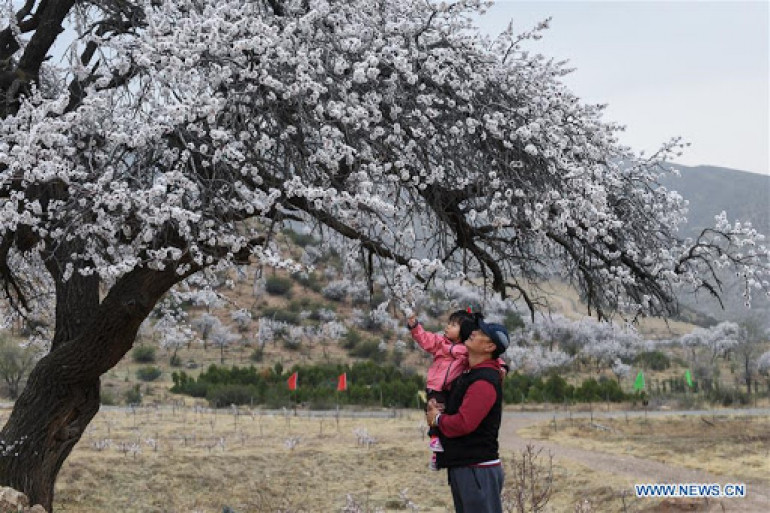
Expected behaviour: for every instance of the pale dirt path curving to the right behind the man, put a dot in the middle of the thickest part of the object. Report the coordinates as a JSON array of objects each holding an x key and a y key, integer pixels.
[{"x": 637, "y": 470}]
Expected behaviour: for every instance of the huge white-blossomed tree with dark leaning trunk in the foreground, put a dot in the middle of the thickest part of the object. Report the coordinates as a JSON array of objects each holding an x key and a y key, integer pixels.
[{"x": 180, "y": 133}]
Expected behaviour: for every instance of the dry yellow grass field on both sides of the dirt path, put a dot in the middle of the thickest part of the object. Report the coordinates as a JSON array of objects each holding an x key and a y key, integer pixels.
[{"x": 193, "y": 460}]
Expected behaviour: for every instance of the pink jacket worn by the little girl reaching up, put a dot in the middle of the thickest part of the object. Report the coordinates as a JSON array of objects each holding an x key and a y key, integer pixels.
[{"x": 449, "y": 359}]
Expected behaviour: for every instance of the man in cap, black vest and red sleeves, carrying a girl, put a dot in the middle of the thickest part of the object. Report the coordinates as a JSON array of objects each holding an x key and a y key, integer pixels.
[{"x": 469, "y": 425}]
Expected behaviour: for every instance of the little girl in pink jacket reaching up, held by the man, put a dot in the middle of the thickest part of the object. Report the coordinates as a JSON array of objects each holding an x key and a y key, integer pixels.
[{"x": 450, "y": 359}]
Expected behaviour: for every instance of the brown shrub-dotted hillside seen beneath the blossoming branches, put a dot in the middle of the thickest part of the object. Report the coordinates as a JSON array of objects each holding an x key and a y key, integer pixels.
[{"x": 307, "y": 305}]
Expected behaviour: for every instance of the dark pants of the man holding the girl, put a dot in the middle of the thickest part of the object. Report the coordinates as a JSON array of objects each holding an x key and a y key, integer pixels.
[{"x": 477, "y": 489}]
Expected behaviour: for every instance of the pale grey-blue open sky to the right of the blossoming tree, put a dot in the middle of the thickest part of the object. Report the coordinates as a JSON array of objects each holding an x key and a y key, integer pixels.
[{"x": 695, "y": 69}]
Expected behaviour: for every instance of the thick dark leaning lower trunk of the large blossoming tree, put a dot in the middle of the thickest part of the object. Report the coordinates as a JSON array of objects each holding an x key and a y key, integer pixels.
[{"x": 62, "y": 393}]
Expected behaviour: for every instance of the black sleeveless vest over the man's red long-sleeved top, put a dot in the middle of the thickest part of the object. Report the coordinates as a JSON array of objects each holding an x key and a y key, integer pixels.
[{"x": 480, "y": 445}]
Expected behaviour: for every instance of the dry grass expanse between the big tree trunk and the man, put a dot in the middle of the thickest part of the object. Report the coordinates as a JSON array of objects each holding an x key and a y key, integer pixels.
[{"x": 204, "y": 461}]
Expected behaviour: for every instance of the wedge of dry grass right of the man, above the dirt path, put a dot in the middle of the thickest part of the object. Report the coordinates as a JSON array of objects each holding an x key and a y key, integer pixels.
[{"x": 730, "y": 446}]
